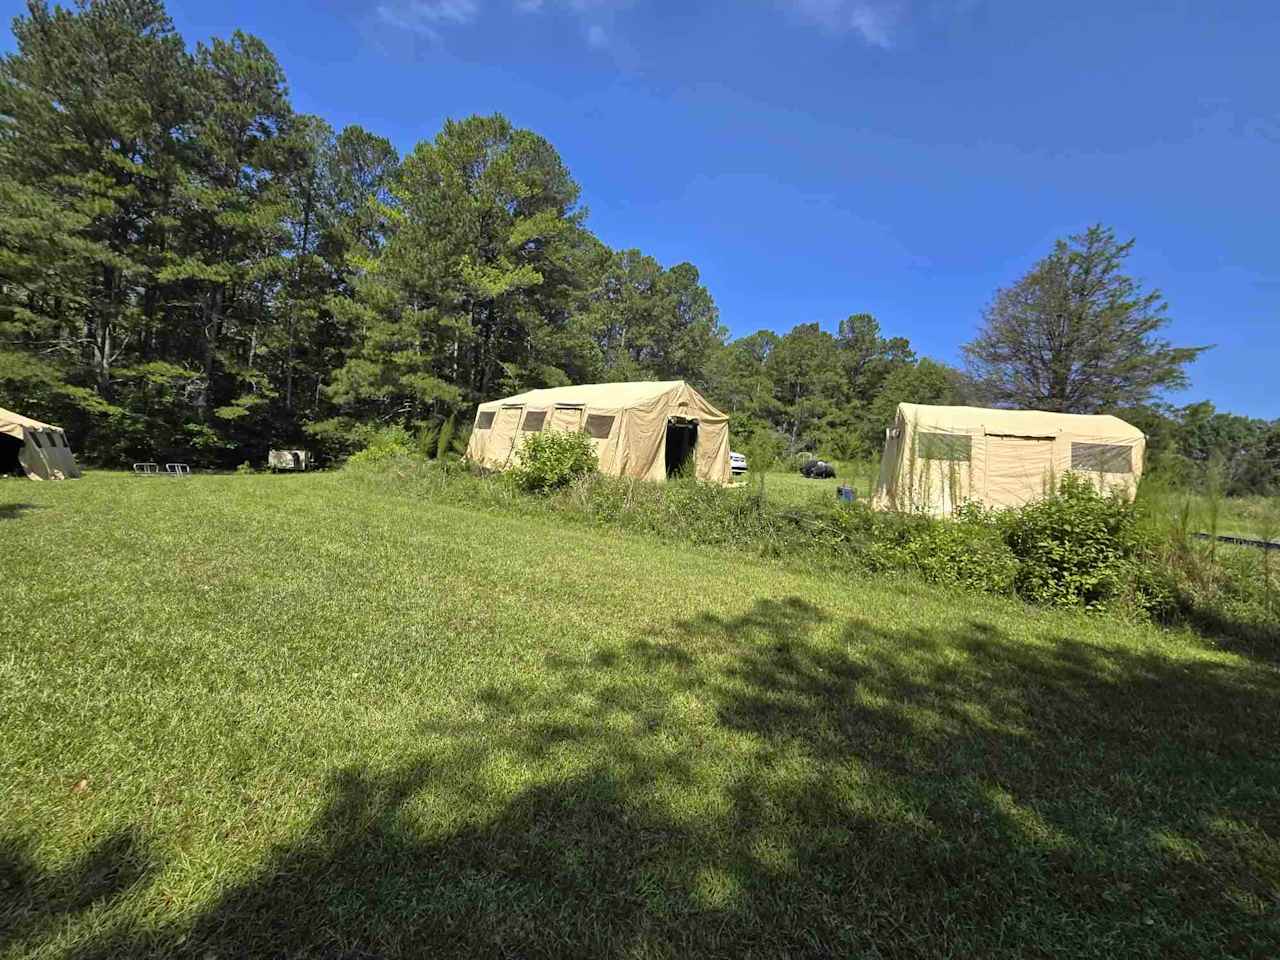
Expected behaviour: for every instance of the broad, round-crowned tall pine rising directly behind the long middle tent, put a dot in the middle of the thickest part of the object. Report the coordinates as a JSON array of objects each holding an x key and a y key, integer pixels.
[{"x": 477, "y": 281}]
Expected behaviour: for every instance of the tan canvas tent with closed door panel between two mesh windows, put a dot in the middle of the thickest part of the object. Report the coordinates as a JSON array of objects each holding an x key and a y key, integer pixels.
[{"x": 940, "y": 458}]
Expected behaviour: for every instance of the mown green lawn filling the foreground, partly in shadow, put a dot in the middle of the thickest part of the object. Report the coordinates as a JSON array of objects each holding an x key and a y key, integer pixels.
[{"x": 254, "y": 716}]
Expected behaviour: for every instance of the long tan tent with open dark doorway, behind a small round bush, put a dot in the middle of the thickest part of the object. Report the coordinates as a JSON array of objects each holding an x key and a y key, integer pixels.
[{"x": 646, "y": 431}]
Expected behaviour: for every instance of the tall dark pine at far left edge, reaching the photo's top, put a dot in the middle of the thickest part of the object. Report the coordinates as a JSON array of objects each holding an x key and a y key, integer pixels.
[{"x": 95, "y": 103}]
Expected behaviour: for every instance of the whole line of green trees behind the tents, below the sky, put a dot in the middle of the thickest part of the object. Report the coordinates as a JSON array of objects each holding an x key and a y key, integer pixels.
[{"x": 191, "y": 269}]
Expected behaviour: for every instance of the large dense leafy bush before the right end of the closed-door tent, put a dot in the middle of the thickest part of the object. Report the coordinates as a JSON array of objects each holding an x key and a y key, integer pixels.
[{"x": 1078, "y": 547}]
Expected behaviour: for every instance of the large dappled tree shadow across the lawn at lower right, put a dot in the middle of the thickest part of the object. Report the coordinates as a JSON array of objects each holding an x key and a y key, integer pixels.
[{"x": 783, "y": 785}]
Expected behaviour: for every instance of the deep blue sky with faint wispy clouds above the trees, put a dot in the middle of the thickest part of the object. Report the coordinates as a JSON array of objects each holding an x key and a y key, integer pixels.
[{"x": 820, "y": 158}]
